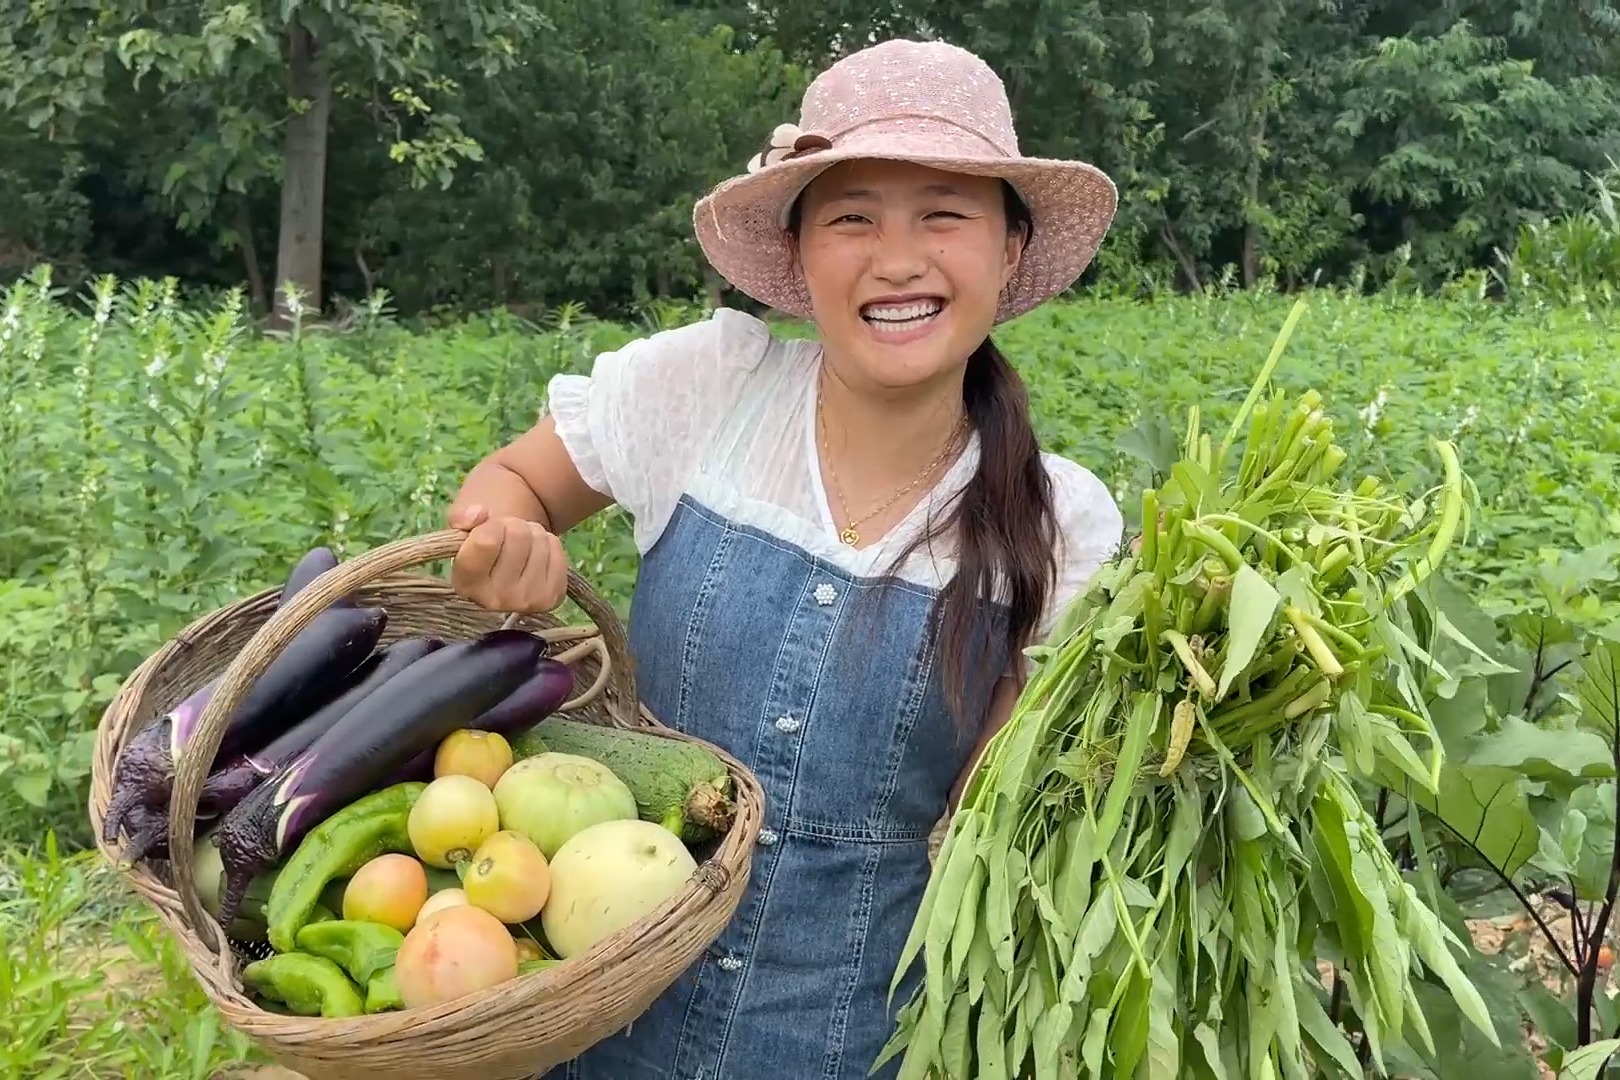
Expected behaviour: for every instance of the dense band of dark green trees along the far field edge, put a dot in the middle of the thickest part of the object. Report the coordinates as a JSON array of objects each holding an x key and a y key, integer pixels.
[{"x": 1308, "y": 140}]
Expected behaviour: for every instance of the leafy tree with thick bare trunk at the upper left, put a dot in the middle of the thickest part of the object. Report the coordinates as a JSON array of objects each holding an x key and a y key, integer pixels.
[{"x": 207, "y": 101}]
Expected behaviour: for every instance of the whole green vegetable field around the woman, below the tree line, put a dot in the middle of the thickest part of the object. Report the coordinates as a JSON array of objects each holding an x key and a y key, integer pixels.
[{"x": 160, "y": 461}]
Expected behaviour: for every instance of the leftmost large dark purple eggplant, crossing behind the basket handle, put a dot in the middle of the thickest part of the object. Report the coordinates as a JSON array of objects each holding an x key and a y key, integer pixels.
[{"x": 302, "y": 679}]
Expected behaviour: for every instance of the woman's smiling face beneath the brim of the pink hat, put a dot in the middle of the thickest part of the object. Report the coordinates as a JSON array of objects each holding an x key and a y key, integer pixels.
[{"x": 906, "y": 268}]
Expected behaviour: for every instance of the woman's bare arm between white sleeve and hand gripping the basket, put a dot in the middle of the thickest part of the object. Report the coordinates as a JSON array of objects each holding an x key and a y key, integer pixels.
[{"x": 531, "y": 478}]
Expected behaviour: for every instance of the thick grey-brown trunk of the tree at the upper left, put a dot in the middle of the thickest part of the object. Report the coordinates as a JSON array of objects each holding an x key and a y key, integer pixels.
[{"x": 304, "y": 176}]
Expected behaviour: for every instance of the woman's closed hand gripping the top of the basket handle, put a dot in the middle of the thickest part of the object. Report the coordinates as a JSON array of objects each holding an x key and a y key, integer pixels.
[{"x": 508, "y": 564}]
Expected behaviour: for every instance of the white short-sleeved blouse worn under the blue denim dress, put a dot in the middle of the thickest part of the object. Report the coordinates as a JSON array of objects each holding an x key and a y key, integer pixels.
[{"x": 725, "y": 414}]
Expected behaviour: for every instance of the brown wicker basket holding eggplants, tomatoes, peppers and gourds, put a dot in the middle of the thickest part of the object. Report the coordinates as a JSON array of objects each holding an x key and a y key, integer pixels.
[{"x": 514, "y": 1031}]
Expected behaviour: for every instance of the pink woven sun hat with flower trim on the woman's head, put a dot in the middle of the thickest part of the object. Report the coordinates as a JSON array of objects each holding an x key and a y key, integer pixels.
[{"x": 926, "y": 103}]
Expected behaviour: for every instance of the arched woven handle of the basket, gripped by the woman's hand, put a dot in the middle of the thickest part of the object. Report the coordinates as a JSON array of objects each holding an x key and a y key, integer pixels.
[{"x": 279, "y": 631}]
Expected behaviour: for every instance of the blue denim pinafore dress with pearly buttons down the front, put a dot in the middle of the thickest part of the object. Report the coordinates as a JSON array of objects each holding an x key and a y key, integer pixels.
[{"x": 824, "y": 684}]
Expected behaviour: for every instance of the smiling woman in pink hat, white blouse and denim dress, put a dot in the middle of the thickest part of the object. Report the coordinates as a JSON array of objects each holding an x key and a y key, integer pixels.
[{"x": 845, "y": 543}]
